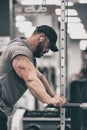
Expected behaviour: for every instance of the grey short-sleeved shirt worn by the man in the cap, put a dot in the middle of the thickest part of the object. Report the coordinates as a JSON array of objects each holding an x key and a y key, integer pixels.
[{"x": 12, "y": 86}]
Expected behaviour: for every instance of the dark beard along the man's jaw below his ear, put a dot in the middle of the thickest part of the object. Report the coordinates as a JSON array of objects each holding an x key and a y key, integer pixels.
[{"x": 38, "y": 52}]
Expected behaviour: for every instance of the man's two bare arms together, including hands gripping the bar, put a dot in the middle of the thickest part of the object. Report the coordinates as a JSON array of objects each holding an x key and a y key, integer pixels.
[{"x": 36, "y": 83}]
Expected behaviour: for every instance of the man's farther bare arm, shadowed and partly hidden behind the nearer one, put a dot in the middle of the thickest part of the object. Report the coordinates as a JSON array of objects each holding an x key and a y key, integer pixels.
[{"x": 46, "y": 84}]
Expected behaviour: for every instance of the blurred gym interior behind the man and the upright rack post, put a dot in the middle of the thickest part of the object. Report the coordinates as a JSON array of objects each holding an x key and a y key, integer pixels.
[{"x": 22, "y": 16}]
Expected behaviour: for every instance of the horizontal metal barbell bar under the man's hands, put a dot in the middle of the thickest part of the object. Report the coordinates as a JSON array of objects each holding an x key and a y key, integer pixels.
[{"x": 69, "y": 105}]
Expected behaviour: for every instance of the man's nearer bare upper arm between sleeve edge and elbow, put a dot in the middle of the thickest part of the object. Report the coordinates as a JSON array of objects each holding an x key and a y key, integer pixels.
[{"x": 23, "y": 67}]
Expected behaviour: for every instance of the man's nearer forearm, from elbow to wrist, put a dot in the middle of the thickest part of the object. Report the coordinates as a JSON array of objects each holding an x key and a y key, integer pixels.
[{"x": 37, "y": 89}]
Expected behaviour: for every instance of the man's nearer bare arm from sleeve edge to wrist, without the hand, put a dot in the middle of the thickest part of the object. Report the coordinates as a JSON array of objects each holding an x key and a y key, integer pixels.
[{"x": 26, "y": 70}]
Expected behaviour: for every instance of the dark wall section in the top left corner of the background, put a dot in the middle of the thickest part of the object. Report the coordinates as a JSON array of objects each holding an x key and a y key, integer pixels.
[{"x": 4, "y": 18}]
